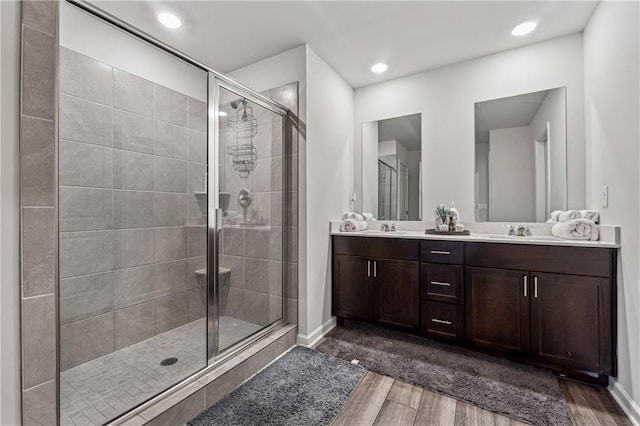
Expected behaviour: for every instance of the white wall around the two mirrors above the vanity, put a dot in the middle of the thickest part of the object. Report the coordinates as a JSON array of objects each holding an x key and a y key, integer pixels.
[{"x": 446, "y": 98}]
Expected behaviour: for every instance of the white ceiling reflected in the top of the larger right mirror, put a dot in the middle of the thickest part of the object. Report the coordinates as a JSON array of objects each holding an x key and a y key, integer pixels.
[{"x": 505, "y": 113}]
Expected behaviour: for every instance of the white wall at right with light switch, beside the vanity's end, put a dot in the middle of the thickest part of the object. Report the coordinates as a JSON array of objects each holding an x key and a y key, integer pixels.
[{"x": 612, "y": 109}]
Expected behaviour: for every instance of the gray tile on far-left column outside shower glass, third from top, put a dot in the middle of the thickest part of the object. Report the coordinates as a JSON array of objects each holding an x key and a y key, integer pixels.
[{"x": 37, "y": 162}]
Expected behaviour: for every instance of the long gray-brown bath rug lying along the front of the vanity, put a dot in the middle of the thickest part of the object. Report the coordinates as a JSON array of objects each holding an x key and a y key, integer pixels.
[{"x": 515, "y": 390}]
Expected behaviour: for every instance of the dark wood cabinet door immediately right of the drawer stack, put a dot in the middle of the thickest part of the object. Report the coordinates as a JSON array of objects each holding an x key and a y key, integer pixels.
[{"x": 497, "y": 309}]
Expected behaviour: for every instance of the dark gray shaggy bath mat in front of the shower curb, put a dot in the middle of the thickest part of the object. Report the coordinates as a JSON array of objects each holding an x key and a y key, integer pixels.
[{"x": 304, "y": 387}]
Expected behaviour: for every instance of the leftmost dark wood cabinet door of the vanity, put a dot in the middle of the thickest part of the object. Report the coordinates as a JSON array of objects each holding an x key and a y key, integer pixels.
[{"x": 352, "y": 287}]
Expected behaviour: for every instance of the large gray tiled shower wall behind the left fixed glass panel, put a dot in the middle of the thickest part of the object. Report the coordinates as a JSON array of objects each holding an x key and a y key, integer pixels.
[{"x": 132, "y": 155}]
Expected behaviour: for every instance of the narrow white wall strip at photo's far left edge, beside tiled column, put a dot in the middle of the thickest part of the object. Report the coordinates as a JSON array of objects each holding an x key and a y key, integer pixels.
[{"x": 9, "y": 214}]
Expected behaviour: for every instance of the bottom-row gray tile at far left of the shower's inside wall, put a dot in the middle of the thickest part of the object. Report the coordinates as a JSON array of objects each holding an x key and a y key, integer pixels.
[{"x": 84, "y": 340}]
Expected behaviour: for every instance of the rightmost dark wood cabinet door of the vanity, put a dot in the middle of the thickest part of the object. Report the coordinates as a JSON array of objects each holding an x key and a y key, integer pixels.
[{"x": 571, "y": 320}]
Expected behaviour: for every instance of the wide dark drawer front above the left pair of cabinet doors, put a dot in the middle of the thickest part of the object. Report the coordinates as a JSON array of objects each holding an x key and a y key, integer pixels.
[{"x": 381, "y": 248}]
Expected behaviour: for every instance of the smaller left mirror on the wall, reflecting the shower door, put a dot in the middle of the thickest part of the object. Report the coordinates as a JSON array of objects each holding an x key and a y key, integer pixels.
[{"x": 392, "y": 168}]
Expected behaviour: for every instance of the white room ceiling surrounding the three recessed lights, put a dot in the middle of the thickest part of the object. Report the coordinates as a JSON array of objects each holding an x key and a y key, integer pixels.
[{"x": 352, "y": 35}]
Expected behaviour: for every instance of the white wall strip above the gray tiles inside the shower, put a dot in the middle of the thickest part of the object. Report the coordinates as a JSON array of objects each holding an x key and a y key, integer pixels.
[{"x": 95, "y": 38}]
